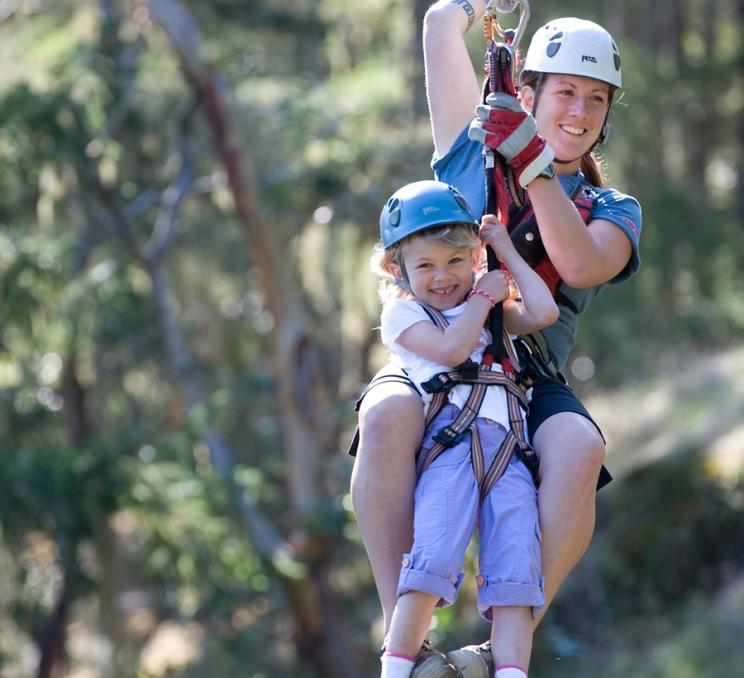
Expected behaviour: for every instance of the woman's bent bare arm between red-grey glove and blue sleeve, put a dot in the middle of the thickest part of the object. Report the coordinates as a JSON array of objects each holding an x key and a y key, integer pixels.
[{"x": 584, "y": 255}]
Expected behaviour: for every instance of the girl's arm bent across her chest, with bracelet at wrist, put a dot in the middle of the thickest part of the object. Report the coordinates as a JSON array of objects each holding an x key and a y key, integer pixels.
[{"x": 454, "y": 345}]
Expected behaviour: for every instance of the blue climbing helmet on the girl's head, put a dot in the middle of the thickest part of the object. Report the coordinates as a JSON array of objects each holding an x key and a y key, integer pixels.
[{"x": 421, "y": 205}]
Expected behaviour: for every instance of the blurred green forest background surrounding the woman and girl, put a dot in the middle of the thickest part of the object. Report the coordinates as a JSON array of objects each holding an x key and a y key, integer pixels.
[{"x": 188, "y": 198}]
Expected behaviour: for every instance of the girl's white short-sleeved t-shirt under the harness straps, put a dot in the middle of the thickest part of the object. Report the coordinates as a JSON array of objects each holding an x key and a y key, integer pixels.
[{"x": 400, "y": 314}]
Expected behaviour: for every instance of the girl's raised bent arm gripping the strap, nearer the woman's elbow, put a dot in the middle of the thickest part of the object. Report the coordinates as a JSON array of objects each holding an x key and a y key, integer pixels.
[{"x": 537, "y": 308}]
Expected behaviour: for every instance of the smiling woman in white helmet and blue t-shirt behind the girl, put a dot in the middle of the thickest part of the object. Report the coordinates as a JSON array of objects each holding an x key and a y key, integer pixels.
[{"x": 570, "y": 74}]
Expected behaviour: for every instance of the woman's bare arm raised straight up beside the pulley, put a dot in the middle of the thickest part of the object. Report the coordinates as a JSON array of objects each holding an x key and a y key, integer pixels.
[{"x": 452, "y": 87}]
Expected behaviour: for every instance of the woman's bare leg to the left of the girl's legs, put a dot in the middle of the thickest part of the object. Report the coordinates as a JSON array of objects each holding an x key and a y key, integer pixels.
[{"x": 391, "y": 426}]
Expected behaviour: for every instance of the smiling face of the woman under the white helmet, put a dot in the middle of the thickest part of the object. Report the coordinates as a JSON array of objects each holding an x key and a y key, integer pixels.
[{"x": 570, "y": 113}]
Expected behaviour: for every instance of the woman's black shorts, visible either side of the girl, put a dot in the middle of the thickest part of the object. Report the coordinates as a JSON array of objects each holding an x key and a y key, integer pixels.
[{"x": 549, "y": 396}]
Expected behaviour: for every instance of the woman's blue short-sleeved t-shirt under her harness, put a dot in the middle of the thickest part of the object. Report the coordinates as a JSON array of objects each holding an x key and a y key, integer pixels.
[{"x": 462, "y": 166}]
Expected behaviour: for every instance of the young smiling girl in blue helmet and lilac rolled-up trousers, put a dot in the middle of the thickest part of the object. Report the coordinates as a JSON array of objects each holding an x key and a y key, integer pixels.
[{"x": 433, "y": 321}]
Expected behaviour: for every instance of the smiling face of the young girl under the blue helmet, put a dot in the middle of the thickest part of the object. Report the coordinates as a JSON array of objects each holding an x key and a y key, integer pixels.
[{"x": 439, "y": 275}]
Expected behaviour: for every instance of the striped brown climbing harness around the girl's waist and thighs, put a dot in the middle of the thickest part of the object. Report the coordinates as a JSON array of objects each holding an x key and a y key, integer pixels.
[{"x": 479, "y": 377}]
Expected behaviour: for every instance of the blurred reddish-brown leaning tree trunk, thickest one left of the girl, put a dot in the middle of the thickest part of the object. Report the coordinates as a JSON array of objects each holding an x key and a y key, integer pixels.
[{"x": 322, "y": 639}]
